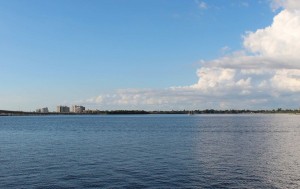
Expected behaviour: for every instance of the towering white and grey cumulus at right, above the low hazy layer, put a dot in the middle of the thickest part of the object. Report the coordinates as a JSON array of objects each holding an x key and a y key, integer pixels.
[{"x": 270, "y": 58}]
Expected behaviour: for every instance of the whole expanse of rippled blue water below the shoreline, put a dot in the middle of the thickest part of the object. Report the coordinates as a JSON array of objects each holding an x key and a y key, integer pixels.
[{"x": 153, "y": 151}]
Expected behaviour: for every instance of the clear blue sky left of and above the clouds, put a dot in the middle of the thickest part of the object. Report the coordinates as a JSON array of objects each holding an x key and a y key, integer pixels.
[{"x": 71, "y": 51}]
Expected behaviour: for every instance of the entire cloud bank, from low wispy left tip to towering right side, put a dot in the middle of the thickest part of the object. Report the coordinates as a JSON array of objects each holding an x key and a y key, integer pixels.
[{"x": 264, "y": 74}]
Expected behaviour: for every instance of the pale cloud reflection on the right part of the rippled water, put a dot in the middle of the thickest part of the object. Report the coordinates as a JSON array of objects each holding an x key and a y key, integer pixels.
[{"x": 252, "y": 151}]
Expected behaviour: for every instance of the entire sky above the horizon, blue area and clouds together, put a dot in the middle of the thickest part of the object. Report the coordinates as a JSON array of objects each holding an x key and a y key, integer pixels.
[{"x": 150, "y": 54}]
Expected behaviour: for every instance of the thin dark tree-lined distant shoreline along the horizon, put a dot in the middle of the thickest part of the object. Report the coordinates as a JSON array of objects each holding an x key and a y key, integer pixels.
[{"x": 143, "y": 112}]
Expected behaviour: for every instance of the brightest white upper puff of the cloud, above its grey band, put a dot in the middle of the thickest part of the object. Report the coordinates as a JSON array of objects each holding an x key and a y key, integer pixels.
[{"x": 280, "y": 41}]
